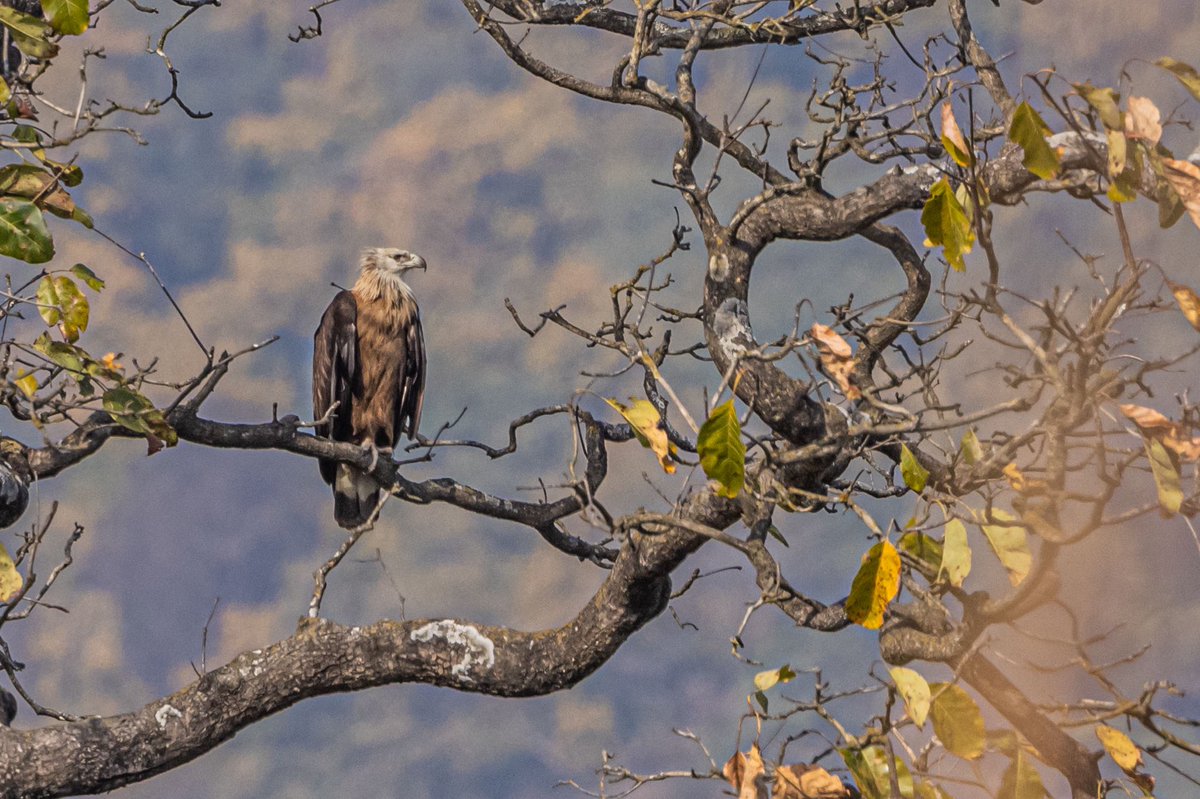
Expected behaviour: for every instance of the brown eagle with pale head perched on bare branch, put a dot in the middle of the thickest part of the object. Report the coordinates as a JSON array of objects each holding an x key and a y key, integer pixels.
[{"x": 369, "y": 358}]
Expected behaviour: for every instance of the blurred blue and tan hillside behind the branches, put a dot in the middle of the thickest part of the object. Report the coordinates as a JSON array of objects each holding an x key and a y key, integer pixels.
[{"x": 403, "y": 127}]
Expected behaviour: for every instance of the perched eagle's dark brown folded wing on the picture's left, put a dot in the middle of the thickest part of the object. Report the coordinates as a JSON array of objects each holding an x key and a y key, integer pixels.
[{"x": 334, "y": 368}]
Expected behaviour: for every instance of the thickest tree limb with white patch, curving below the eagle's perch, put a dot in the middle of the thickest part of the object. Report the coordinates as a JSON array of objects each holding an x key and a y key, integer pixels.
[{"x": 98, "y": 755}]
